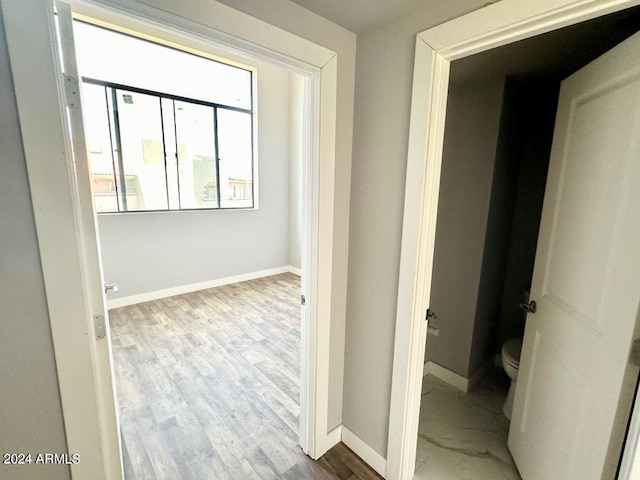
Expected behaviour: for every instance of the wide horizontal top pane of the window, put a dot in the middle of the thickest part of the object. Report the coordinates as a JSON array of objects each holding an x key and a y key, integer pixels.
[{"x": 114, "y": 57}]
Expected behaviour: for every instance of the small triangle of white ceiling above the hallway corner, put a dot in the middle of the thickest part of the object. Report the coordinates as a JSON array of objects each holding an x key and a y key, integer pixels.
[{"x": 360, "y": 15}]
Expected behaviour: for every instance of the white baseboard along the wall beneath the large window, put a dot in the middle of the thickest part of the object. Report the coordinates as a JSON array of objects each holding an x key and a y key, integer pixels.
[{"x": 194, "y": 287}]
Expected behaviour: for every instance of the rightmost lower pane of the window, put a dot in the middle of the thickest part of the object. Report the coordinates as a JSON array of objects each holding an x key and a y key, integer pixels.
[{"x": 236, "y": 166}]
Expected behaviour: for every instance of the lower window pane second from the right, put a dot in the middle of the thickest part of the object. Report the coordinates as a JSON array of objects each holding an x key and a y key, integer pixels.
[{"x": 195, "y": 135}]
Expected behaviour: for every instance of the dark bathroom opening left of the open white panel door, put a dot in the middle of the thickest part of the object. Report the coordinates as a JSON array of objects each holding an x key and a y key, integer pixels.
[{"x": 500, "y": 119}]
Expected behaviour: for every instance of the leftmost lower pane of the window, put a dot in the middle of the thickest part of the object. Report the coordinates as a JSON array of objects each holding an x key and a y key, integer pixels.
[{"x": 97, "y": 133}]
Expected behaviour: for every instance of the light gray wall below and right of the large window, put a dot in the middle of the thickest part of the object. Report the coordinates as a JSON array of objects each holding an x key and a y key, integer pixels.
[{"x": 145, "y": 252}]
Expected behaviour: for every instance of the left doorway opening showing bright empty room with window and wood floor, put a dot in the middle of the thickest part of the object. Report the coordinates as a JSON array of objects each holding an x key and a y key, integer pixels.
[{"x": 174, "y": 142}]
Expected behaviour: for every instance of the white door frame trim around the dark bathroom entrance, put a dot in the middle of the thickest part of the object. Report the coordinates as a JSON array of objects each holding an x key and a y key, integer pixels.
[{"x": 490, "y": 27}]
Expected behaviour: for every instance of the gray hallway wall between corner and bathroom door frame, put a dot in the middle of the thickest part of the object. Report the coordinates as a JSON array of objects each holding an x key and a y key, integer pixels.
[{"x": 381, "y": 128}]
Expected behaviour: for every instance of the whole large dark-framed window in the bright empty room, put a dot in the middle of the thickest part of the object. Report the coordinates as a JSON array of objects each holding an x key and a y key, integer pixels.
[{"x": 178, "y": 135}]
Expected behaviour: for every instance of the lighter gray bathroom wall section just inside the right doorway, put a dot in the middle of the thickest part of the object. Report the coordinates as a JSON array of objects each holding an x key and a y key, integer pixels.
[{"x": 469, "y": 155}]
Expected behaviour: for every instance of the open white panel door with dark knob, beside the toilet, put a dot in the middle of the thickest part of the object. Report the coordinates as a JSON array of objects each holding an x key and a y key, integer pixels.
[{"x": 586, "y": 278}]
